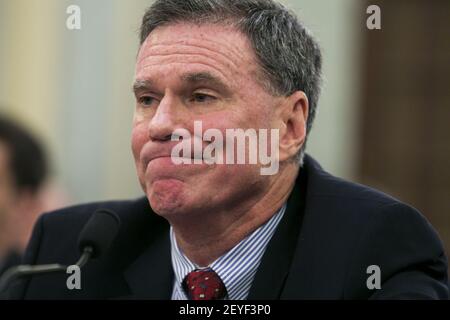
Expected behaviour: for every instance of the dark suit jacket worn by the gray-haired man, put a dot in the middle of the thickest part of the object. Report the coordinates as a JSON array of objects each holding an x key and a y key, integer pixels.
[{"x": 331, "y": 232}]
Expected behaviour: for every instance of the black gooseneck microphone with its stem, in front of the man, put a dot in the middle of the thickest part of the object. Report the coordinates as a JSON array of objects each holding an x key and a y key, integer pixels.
[{"x": 94, "y": 240}]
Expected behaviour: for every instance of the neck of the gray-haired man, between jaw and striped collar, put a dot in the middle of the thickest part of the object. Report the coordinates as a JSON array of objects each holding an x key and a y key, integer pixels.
[{"x": 206, "y": 237}]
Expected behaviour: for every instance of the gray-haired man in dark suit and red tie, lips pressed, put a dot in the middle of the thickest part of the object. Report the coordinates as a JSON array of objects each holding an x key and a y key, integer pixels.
[{"x": 223, "y": 231}]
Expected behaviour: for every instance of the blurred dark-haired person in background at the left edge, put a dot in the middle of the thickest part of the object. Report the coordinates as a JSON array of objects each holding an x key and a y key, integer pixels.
[{"x": 23, "y": 171}]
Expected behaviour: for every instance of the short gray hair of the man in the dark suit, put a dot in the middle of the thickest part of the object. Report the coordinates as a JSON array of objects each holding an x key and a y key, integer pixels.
[{"x": 289, "y": 56}]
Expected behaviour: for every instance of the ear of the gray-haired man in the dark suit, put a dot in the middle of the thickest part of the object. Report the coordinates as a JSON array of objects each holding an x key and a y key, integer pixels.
[{"x": 294, "y": 117}]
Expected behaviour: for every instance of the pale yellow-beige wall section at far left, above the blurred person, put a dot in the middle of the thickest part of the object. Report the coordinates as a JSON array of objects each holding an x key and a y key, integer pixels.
[{"x": 27, "y": 65}]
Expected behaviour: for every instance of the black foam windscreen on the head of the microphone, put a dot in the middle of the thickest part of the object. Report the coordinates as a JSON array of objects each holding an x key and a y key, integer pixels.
[{"x": 99, "y": 232}]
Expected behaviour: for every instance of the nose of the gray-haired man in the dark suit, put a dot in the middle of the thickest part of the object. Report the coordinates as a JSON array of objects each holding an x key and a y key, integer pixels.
[{"x": 165, "y": 120}]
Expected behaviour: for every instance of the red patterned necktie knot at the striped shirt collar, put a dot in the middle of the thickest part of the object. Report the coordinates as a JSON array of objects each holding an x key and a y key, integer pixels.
[{"x": 204, "y": 285}]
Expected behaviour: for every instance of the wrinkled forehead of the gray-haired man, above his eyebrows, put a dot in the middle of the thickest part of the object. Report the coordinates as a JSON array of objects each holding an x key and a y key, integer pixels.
[{"x": 221, "y": 49}]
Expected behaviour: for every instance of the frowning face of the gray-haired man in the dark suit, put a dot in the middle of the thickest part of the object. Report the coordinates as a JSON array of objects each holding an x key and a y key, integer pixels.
[{"x": 188, "y": 73}]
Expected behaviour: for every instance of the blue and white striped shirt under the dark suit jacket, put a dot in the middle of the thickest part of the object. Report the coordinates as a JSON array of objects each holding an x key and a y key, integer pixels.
[{"x": 236, "y": 268}]
